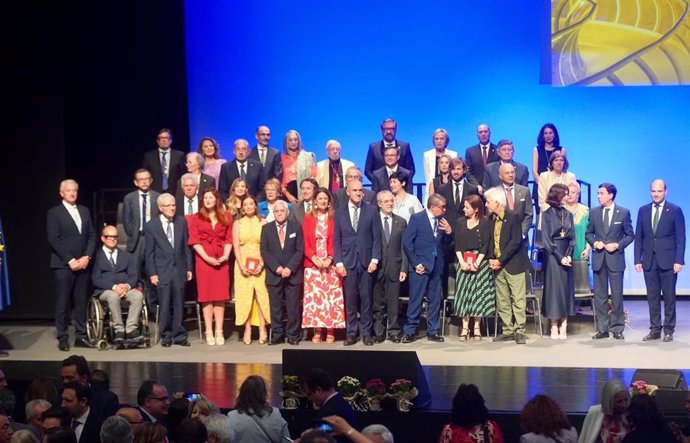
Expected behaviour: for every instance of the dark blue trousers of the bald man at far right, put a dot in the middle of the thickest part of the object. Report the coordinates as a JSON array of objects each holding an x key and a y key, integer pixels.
[{"x": 661, "y": 282}]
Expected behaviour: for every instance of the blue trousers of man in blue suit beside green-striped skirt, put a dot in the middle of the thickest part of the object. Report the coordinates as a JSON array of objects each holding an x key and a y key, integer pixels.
[{"x": 429, "y": 284}]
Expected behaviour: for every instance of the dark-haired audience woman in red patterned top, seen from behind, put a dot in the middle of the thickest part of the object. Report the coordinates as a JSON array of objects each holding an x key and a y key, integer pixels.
[{"x": 470, "y": 419}]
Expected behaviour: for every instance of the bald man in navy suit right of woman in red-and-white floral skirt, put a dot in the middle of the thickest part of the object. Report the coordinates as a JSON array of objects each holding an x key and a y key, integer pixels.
[{"x": 357, "y": 246}]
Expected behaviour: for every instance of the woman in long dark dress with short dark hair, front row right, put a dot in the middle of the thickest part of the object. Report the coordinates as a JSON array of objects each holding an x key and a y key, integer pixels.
[{"x": 558, "y": 235}]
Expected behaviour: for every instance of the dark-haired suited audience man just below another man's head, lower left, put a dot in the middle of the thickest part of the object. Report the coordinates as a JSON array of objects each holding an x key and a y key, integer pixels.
[{"x": 85, "y": 421}]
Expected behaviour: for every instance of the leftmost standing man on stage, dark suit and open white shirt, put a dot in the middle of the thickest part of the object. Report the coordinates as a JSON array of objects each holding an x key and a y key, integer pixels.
[{"x": 72, "y": 239}]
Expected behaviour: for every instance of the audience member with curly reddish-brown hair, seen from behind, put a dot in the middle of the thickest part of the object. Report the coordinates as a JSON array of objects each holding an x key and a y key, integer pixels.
[{"x": 544, "y": 421}]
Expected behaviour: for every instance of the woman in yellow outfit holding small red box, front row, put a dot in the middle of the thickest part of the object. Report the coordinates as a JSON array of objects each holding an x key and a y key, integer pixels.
[{"x": 251, "y": 295}]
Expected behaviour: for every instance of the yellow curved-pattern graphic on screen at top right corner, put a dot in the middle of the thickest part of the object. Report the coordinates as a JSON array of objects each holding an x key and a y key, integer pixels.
[{"x": 620, "y": 42}]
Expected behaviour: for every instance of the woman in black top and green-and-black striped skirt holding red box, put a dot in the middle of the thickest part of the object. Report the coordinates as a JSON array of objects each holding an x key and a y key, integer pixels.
[{"x": 475, "y": 294}]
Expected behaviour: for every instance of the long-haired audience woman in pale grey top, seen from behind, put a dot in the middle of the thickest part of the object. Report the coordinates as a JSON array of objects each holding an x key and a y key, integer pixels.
[{"x": 254, "y": 419}]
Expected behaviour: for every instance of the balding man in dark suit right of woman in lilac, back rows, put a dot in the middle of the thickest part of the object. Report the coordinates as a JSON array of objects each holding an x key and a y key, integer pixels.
[{"x": 242, "y": 167}]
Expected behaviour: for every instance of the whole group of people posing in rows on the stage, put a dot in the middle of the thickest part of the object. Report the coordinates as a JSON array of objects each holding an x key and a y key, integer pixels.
[{"x": 306, "y": 242}]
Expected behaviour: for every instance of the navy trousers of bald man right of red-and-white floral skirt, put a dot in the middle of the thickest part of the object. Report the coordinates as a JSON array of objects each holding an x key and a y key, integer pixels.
[{"x": 357, "y": 286}]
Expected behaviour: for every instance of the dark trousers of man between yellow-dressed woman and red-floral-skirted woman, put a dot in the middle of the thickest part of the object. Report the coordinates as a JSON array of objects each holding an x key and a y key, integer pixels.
[{"x": 286, "y": 294}]
